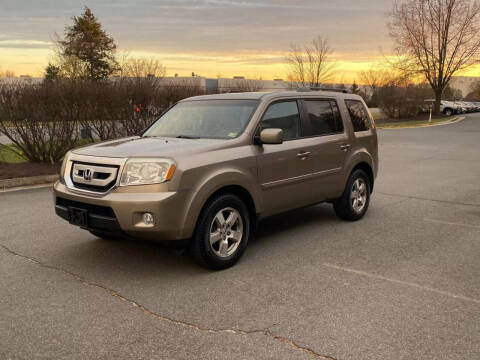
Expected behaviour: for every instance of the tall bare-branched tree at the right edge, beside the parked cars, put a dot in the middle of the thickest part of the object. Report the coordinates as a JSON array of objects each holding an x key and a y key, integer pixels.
[{"x": 436, "y": 39}]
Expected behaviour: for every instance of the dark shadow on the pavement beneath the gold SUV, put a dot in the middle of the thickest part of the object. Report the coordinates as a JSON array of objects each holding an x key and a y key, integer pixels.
[{"x": 144, "y": 259}]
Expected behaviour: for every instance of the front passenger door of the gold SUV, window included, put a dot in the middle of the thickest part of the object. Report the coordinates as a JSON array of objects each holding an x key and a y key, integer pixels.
[{"x": 284, "y": 169}]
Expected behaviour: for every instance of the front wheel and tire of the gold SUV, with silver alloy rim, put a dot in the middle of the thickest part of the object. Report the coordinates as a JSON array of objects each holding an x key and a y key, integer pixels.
[{"x": 216, "y": 246}]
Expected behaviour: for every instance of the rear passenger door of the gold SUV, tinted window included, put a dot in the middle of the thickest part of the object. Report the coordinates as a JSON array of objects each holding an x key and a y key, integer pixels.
[{"x": 322, "y": 123}]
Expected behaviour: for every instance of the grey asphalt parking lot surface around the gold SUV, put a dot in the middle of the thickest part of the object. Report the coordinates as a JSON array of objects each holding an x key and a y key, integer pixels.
[{"x": 403, "y": 283}]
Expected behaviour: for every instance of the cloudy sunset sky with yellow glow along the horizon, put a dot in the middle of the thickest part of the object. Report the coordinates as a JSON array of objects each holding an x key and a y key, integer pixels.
[{"x": 208, "y": 37}]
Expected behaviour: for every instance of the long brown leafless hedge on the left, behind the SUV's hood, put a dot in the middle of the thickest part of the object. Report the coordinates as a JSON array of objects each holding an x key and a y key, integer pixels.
[{"x": 45, "y": 120}]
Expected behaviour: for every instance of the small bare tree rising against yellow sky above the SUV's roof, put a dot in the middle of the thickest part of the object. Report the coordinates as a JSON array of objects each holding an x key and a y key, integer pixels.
[{"x": 310, "y": 65}]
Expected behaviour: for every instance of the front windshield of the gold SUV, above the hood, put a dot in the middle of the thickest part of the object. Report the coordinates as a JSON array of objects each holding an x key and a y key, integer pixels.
[{"x": 217, "y": 119}]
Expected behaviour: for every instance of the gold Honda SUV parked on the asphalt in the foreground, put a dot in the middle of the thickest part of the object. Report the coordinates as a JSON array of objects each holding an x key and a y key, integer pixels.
[{"x": 211, "y": 166}]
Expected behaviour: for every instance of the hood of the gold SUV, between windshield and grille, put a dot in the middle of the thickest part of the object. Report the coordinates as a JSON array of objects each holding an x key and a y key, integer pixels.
[{"x": 149, "y": 147}]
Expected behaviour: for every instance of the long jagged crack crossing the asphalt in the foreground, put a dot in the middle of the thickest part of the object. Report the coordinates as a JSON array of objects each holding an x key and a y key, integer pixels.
[{"x": 160, "y": 317}]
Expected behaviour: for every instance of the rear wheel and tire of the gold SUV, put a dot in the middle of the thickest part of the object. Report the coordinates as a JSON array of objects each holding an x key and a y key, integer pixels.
[{"x": 348, "y": 208}]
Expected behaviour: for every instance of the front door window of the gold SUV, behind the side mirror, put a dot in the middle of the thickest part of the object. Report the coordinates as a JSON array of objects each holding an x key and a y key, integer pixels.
[{"x": 283, "y": 115}]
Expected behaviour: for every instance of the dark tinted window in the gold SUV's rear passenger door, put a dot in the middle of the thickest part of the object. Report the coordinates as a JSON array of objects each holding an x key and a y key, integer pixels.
[{"x": 323, "y": 118}]
